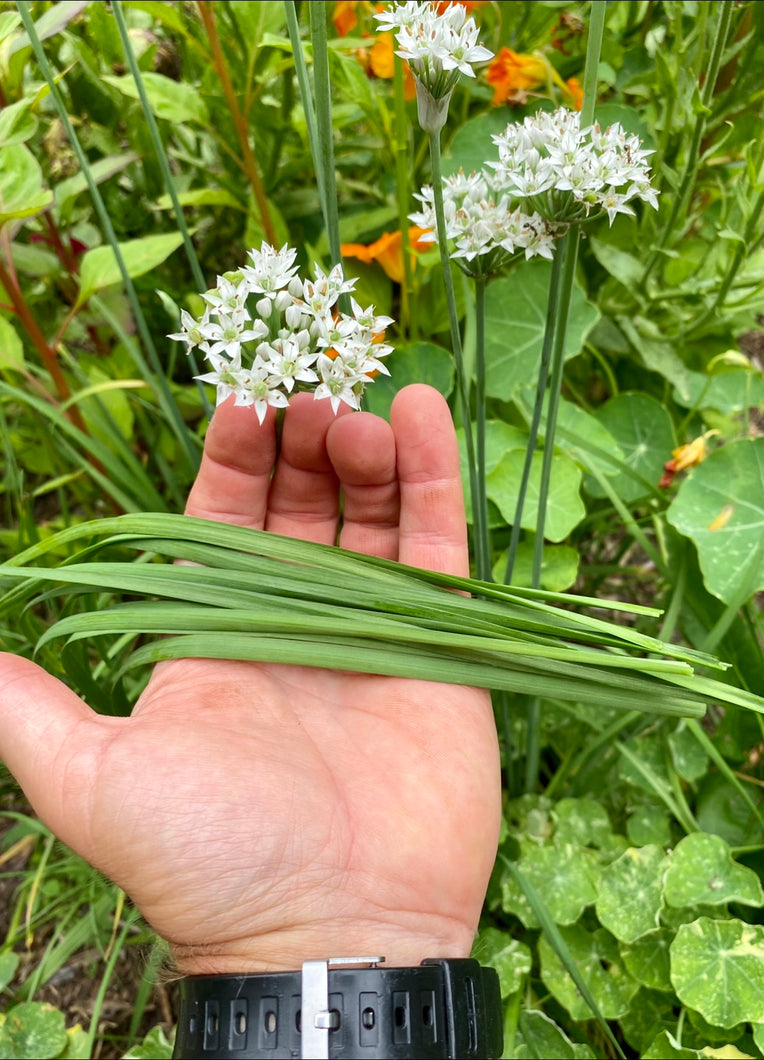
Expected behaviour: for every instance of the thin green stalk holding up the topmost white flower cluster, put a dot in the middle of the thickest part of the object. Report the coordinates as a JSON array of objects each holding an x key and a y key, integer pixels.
[{"x": 483, "y": 554}]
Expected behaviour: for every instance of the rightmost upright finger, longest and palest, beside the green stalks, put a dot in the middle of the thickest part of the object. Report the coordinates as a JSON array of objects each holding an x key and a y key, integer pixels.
[{"x": 433, "y": 525}]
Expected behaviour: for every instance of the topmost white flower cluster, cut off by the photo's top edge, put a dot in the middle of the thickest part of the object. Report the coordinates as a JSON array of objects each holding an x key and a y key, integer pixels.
[{"x": 438, "y": 47}]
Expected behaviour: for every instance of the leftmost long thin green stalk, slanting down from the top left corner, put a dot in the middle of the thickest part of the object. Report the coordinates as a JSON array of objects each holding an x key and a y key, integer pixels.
[{"x": 158, "y": 381}]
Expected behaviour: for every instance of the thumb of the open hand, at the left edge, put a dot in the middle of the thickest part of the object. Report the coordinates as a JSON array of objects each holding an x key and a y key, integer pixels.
[{"x": 52, "y": 744}]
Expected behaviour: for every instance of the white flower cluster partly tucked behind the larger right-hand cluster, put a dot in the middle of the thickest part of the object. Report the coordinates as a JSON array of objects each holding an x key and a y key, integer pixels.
[{"x": 481, "y": 221}]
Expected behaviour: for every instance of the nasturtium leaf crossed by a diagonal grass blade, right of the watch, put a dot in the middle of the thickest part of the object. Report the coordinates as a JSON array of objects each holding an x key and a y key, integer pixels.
[{"x": 596, "y": 953}]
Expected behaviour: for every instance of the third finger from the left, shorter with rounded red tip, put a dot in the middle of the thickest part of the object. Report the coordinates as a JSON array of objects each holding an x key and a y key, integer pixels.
[{"x": 363, "y": 451}]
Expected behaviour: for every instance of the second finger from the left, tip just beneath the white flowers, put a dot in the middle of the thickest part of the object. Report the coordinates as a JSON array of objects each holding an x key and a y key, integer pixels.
[{"x": 305, "y": 496}]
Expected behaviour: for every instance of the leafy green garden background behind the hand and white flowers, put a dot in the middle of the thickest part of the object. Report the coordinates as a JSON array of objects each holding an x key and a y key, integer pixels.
[{"x": 145, "y": 148}]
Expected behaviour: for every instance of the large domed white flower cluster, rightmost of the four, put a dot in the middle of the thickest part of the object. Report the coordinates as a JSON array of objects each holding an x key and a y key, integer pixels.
[{"x": 570, "y": 174}]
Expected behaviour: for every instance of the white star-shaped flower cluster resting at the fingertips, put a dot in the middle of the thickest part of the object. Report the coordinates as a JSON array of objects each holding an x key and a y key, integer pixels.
[{"x": 304, "y": 343}]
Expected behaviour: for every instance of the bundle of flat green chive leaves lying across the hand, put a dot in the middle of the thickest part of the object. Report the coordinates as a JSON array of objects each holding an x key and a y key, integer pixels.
[{"x": 251, "y": 595}]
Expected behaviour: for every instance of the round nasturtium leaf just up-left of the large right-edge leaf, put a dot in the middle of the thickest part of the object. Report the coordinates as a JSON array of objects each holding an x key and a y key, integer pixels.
[{"x": 644, "y": 430}]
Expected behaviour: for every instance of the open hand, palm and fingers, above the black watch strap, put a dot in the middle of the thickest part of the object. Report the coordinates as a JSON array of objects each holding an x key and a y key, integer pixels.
[{"x": 261, "y": 816}]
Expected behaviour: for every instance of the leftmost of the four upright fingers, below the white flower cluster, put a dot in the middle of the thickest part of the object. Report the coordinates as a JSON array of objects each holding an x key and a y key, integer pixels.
[{"x": 237, "y": 467}]
